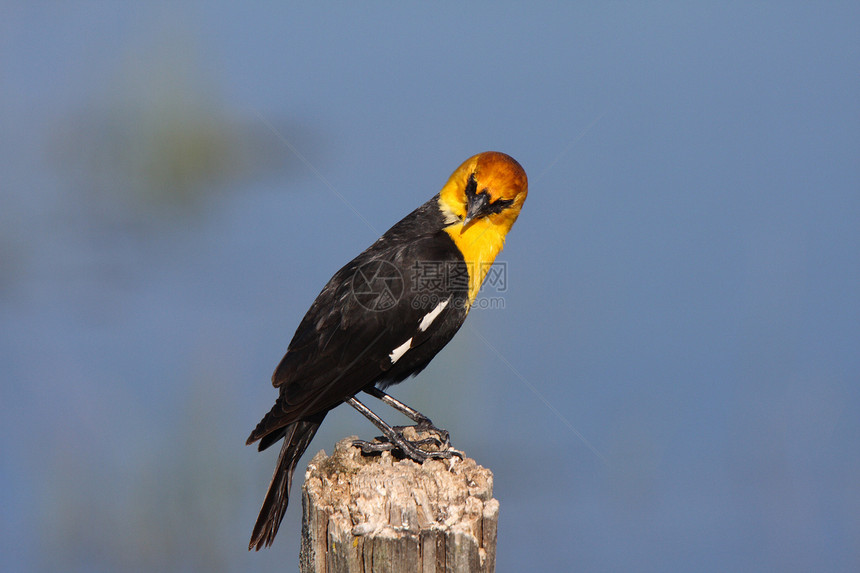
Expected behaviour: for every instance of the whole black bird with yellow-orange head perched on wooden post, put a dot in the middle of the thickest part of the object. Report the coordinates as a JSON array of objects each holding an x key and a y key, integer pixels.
[{"x": 384, "y": 316}]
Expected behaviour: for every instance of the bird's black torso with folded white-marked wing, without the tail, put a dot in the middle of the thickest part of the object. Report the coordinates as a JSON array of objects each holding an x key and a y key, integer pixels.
[{"x": 369, "y": 308}]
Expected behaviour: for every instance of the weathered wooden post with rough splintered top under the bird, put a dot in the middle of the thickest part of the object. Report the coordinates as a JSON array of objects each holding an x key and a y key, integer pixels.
[{"x": 376, "y": 513}]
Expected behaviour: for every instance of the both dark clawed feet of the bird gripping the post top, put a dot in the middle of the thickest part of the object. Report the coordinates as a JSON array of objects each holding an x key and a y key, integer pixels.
[{"x": 420, "y": 442}]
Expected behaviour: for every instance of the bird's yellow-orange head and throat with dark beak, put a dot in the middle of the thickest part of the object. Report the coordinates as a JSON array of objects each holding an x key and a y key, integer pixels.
[{"x": 481, "y": 201}]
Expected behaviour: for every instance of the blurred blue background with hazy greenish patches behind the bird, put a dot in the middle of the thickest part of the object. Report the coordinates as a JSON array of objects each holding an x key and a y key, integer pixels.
[{"x": 670, "y": 384}]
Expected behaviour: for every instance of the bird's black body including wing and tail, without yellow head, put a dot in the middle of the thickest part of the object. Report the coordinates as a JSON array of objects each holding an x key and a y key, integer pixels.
[{"x": 345, "y": 341}]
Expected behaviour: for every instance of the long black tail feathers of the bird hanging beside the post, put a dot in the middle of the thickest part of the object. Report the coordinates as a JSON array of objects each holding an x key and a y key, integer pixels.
[{"x": 297, "y": 437}]
